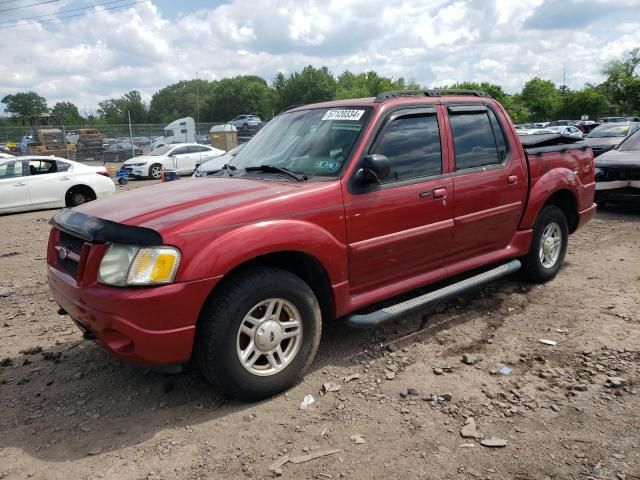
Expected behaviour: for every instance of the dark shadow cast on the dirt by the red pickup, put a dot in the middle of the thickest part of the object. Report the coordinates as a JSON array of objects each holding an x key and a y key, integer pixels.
[{"x": 61, "y": 402}]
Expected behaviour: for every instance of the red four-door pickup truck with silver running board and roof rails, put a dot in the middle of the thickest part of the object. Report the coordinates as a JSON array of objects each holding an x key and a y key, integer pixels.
[{"x": 328, "y": 211}]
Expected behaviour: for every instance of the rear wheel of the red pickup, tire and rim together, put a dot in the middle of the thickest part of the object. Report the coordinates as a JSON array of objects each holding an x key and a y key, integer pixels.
[{"x": 548, "y": 247}]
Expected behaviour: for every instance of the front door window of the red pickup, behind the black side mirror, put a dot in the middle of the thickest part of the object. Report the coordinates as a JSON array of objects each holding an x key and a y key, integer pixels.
[{"x": 412, "y": 144}]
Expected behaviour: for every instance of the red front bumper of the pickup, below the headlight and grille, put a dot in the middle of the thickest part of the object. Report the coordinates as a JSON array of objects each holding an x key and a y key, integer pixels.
[{"x": 151, "y": 326}]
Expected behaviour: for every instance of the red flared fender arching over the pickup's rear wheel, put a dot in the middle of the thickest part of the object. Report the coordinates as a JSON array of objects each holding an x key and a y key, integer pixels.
[{"x": 544, "y": 187}]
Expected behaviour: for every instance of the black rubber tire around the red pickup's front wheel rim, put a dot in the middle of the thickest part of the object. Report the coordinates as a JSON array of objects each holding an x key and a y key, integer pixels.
[{"x": 218, "y": 337}]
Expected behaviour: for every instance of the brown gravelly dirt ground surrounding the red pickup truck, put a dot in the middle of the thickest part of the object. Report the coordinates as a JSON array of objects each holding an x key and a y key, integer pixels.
[{"x": 571, "y": 411}]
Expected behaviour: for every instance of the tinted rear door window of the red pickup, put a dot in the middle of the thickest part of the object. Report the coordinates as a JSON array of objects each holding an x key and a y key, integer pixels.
[{"x": 477, "y": 138}]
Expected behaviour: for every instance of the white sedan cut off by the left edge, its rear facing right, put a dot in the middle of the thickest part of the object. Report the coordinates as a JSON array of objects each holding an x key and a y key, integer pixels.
[{"x": 36, "y": 182}]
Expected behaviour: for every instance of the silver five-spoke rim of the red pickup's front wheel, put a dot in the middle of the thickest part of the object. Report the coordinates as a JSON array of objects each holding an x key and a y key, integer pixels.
[{"x": 269, "y": 337}]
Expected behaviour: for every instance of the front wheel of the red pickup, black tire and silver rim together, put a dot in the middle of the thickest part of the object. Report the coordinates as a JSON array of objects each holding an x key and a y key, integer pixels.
[{"x": 259, "y": 333}]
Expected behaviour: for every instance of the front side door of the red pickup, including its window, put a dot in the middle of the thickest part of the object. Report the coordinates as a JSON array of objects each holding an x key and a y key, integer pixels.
[{"x": 403, "y": 226}]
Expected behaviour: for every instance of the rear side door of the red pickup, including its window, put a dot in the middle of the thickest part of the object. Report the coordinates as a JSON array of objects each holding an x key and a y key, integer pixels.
[{"x": 490, "y": 182}]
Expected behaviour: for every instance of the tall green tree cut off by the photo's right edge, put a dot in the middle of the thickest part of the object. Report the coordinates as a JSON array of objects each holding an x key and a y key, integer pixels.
[{"x": 622, "y": 85}]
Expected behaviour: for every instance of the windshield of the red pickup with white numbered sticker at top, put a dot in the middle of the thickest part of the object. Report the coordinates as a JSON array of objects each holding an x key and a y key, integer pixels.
[{"x": 313, "y": 142}]
